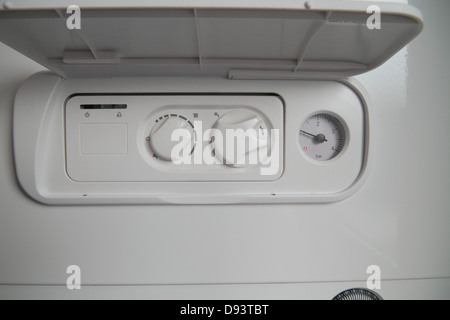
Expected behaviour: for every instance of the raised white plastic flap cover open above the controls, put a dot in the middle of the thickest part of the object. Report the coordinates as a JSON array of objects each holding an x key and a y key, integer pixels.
[{"x": 285, "y": 39}]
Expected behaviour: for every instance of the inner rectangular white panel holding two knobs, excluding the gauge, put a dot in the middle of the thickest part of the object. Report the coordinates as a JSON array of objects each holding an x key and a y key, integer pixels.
[{"x": 174, "y": 137}]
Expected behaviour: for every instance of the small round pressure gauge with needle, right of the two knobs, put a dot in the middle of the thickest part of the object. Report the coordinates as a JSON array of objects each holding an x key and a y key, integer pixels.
[{"x": 322, "y": 137}]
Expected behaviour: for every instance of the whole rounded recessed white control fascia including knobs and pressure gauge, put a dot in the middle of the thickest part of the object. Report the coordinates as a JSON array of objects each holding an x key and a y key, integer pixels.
[{"x": 180, "y": 141}]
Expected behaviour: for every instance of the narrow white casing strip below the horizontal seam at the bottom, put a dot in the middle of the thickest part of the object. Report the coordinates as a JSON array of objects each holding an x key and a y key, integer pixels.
[{"x": 436, "y": 289}]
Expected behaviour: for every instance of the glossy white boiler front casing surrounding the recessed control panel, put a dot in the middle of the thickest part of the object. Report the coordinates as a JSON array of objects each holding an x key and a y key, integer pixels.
[{"x": 399, "y": 220}]
